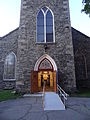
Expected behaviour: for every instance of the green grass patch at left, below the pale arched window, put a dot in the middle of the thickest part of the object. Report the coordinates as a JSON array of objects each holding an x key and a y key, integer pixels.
[{"x": 8, "y": 94}]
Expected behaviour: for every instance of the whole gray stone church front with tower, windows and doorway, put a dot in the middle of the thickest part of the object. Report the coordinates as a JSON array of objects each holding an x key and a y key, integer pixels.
[{"x": 44, "y": 50}]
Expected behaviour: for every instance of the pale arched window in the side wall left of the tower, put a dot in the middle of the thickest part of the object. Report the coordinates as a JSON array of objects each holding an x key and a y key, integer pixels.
[{"x": 9, "y": 67}]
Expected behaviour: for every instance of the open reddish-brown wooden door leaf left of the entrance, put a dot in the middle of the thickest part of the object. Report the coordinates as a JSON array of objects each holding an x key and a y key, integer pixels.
[{"x": 34, "y": 82}]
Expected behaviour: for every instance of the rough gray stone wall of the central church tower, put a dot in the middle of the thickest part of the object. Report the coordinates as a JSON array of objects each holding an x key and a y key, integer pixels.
[{"x": 29, "y": 51}]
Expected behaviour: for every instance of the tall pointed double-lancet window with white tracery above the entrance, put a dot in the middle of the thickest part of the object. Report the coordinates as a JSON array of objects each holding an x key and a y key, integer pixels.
[{"x": 45, "y": 26}]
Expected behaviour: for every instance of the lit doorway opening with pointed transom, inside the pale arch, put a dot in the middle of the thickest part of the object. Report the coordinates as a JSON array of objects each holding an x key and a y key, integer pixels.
[{"x": 45, "y": 75}]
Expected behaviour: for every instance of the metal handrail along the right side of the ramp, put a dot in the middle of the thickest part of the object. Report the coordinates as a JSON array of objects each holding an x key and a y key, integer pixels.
[{"x": 63, "y": 95}]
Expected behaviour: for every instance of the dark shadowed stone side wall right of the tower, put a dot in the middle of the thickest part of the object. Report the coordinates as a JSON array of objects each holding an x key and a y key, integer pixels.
[{"x": 81, "y": 44}]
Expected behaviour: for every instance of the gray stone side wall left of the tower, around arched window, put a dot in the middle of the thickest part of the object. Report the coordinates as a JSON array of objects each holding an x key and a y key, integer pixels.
[{"x": 8, "y": 44}]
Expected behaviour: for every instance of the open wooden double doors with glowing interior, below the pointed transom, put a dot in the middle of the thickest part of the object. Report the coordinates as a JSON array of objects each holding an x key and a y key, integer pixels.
[{"x": 41, "y": 78}]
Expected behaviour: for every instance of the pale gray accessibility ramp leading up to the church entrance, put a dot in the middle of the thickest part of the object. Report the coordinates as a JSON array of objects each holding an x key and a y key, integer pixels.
[{"x": 53, "y": 102}]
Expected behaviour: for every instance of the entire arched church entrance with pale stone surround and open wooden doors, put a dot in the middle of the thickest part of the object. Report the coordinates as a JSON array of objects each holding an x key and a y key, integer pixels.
[{"x": 44, "y": 74}]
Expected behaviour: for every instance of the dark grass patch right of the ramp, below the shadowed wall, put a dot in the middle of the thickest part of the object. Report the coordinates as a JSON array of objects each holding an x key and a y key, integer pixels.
[{"x": 82, "y": 93}]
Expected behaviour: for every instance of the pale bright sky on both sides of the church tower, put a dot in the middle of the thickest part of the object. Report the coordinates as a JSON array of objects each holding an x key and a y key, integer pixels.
[{"x": 10, "y": 16}]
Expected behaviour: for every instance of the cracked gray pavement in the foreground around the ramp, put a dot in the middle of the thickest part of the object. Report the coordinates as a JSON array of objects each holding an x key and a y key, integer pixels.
[{"x": 31, "y": 109}]
